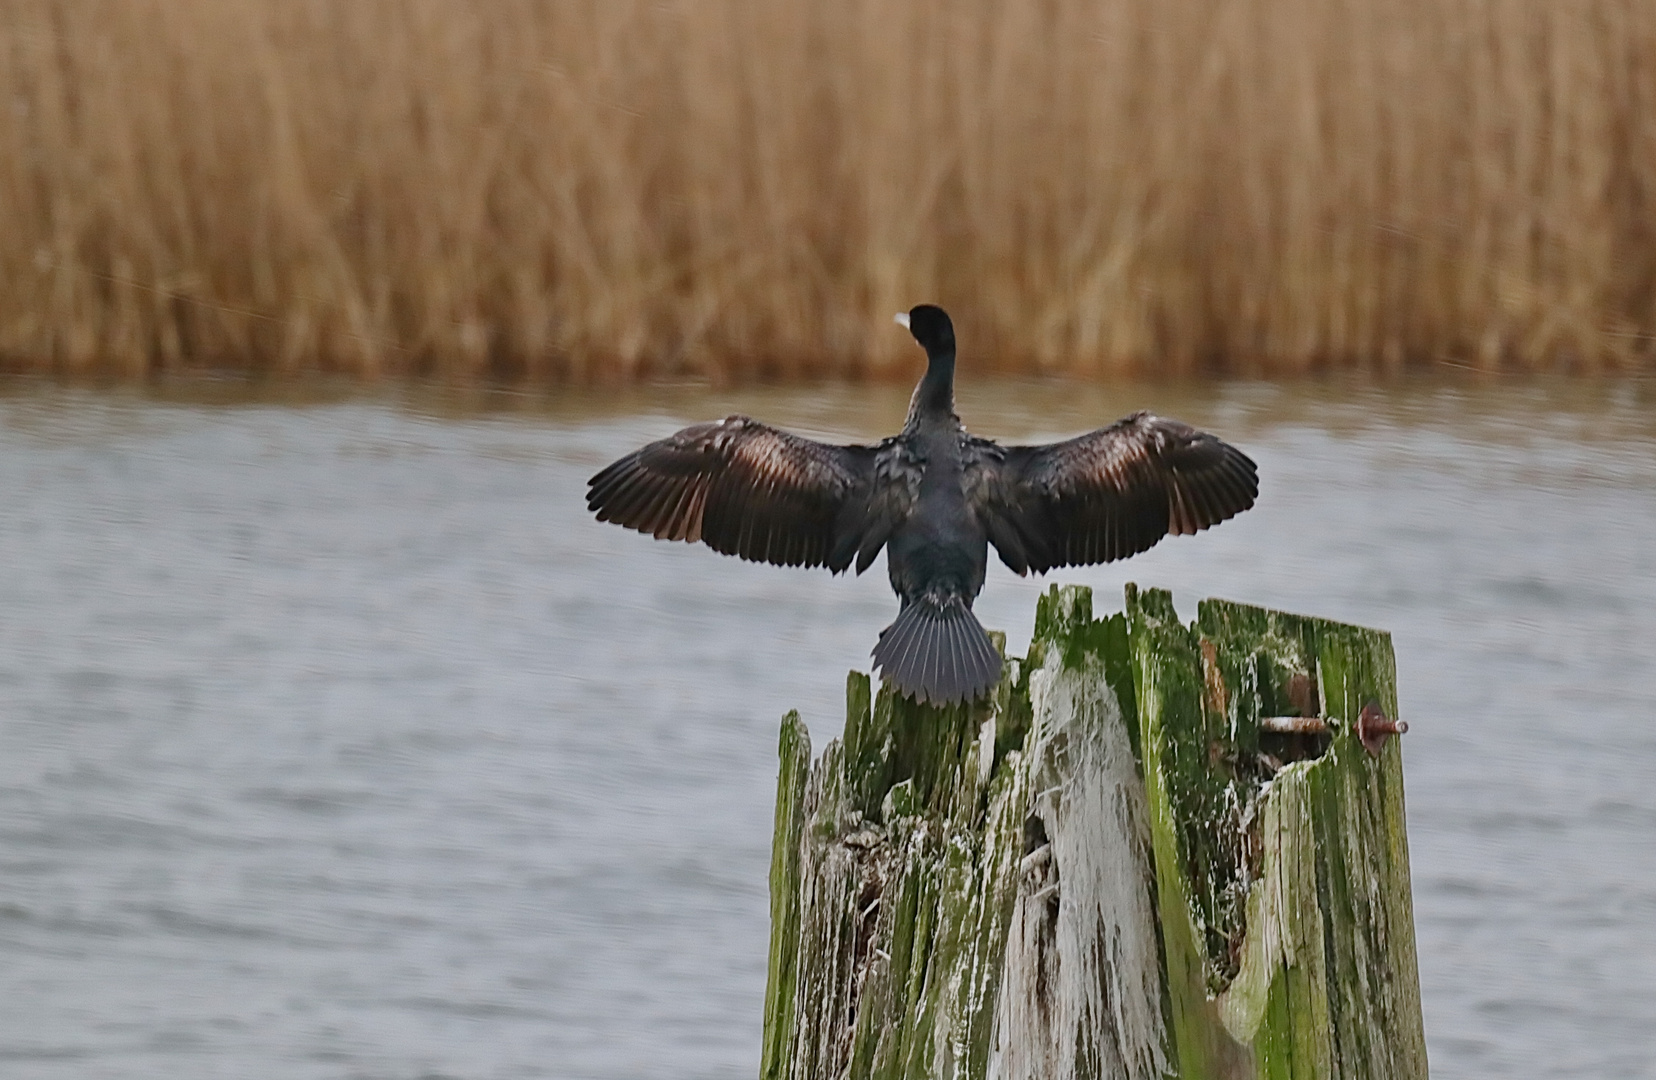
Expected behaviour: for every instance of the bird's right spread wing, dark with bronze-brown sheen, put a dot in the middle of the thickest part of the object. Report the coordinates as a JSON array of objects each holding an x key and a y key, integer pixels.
[{"x": 1107, "y": 494}]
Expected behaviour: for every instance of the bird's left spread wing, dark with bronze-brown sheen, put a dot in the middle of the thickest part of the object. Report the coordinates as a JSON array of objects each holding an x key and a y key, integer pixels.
[{"x": 743, "y": 489}]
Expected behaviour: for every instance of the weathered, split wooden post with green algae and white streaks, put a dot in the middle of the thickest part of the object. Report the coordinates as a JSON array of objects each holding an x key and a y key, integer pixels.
[{"x": 1130, "y": 862}]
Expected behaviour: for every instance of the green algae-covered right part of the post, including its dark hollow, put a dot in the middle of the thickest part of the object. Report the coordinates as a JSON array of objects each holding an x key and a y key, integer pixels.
[{"x": 1283, "y": 861}]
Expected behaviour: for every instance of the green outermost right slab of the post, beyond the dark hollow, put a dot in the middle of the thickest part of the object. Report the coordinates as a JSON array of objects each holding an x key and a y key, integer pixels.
[{"x": 1334, "y": 925}]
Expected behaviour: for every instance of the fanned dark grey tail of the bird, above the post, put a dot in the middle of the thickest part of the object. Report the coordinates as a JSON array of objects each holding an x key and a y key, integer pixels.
[{"x": 938, "y": 652}]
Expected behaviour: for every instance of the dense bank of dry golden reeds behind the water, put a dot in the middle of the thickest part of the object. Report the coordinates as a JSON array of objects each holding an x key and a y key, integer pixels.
[{"x": 600, "y": 190}]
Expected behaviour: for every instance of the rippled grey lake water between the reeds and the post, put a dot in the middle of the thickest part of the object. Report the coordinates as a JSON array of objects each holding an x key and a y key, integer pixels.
[{"x": 339, "y": 741}]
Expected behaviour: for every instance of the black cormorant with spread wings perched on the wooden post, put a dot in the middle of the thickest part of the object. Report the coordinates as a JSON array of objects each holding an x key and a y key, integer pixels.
[{"x": 935, "y": 498}]
